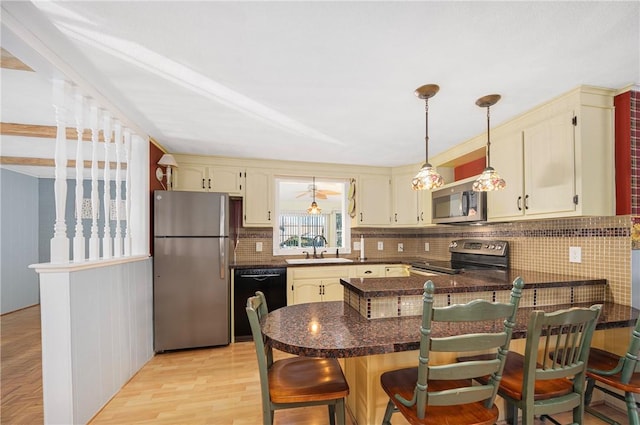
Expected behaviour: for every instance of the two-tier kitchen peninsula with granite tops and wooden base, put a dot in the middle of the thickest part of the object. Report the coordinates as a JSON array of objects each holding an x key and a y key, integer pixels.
[{"x": 370, "y": 346}]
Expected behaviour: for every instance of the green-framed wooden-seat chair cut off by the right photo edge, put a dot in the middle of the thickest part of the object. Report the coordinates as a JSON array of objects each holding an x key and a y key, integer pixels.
[{"x": 618, "y": 373}]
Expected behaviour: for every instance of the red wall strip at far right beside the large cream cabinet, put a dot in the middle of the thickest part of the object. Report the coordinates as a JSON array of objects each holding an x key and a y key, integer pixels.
[{"x": 622, "y": 104}]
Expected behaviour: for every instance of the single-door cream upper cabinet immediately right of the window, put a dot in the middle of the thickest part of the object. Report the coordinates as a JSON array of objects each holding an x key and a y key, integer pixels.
[{"x": 373, "y": 207}]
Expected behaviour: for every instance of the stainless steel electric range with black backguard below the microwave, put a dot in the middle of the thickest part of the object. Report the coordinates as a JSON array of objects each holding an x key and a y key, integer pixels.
[{"x": 469, "y": 254}]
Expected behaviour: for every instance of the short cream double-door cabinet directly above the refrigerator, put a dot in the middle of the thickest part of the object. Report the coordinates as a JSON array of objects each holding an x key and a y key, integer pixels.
[{"x": 210, "y": 178}]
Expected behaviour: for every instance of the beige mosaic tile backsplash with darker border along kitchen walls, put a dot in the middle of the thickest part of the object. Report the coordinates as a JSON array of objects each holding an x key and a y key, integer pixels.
[{"x": 534, "y": 245}]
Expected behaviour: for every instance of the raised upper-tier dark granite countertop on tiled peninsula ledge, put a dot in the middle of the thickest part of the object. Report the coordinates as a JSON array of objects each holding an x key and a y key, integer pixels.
[{"x": 465, "y": 281}]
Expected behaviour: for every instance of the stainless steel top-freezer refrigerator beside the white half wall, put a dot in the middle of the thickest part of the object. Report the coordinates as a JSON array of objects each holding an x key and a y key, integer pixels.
[{"x": 191, "y": 285}]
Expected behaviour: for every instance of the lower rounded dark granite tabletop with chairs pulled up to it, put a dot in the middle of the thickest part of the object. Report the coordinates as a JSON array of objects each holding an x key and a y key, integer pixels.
[{"x": 334, "y": 329}]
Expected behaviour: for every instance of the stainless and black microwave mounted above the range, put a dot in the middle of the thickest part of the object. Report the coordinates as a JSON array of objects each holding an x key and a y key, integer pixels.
[{"x": 458, "y": 203}]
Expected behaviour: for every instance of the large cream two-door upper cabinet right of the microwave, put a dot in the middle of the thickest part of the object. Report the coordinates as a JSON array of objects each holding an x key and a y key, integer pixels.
[{"x": 557, "y": 160}]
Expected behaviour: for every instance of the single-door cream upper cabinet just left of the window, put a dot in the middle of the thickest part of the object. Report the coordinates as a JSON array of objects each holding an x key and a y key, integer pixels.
[{"x": 258, "y": 204}]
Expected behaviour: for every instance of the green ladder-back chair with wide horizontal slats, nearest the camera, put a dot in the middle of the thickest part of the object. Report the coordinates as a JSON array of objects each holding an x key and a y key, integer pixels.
[{"x": 445, "y": 394}]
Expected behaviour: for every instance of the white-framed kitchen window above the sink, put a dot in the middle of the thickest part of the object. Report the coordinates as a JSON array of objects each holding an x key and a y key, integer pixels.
[{"x": 296, "y": 231}]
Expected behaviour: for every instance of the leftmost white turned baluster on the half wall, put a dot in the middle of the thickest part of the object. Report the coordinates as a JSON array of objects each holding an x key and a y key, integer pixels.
[{"x": 60, "y": 241}]
